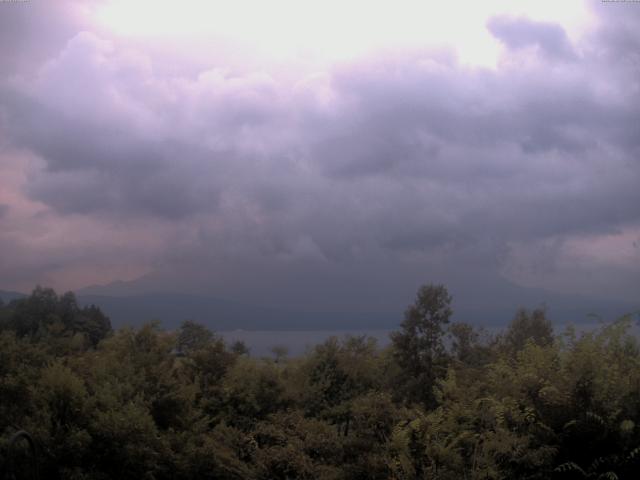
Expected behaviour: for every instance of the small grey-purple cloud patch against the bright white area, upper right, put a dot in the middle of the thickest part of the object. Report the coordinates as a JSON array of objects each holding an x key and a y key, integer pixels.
[{"x": 519, "y": 33}]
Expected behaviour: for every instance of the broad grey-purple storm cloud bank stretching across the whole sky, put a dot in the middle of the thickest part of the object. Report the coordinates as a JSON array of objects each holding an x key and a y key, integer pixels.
[{"x": 407, "y": 155}]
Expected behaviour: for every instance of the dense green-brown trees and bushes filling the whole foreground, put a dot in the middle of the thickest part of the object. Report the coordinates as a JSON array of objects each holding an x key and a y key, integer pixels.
[{"x": 443, "y": 401}]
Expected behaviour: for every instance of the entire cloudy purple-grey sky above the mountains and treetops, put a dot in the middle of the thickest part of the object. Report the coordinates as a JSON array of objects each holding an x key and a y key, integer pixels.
[{"x": 326, "y": 153}]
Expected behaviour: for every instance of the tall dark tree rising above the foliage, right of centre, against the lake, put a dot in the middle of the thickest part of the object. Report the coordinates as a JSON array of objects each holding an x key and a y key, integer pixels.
[{"x": 418, "y": 347}]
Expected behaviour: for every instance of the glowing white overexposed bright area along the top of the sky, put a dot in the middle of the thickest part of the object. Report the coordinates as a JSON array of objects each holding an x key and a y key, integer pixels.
[{"x": 331, "y": 30}]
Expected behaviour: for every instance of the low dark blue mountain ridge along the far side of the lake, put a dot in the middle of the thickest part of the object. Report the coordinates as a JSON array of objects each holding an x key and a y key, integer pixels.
[{"x": 127, "y": 304}]
